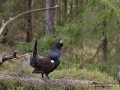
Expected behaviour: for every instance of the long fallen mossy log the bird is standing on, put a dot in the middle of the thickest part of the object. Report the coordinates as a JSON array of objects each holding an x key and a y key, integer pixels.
[{"x": 64, "y": 82}]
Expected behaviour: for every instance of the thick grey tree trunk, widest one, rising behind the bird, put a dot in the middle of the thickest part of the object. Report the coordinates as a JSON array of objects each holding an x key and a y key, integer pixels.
[{"x": 50, "y": 17}]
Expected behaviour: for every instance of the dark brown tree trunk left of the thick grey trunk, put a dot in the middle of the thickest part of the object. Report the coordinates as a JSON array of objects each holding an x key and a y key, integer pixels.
[{"x": 29, "y": 36}]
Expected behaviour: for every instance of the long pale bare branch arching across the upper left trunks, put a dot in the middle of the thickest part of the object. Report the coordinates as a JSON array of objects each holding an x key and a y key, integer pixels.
[{"x": 11, "y": 19}]
